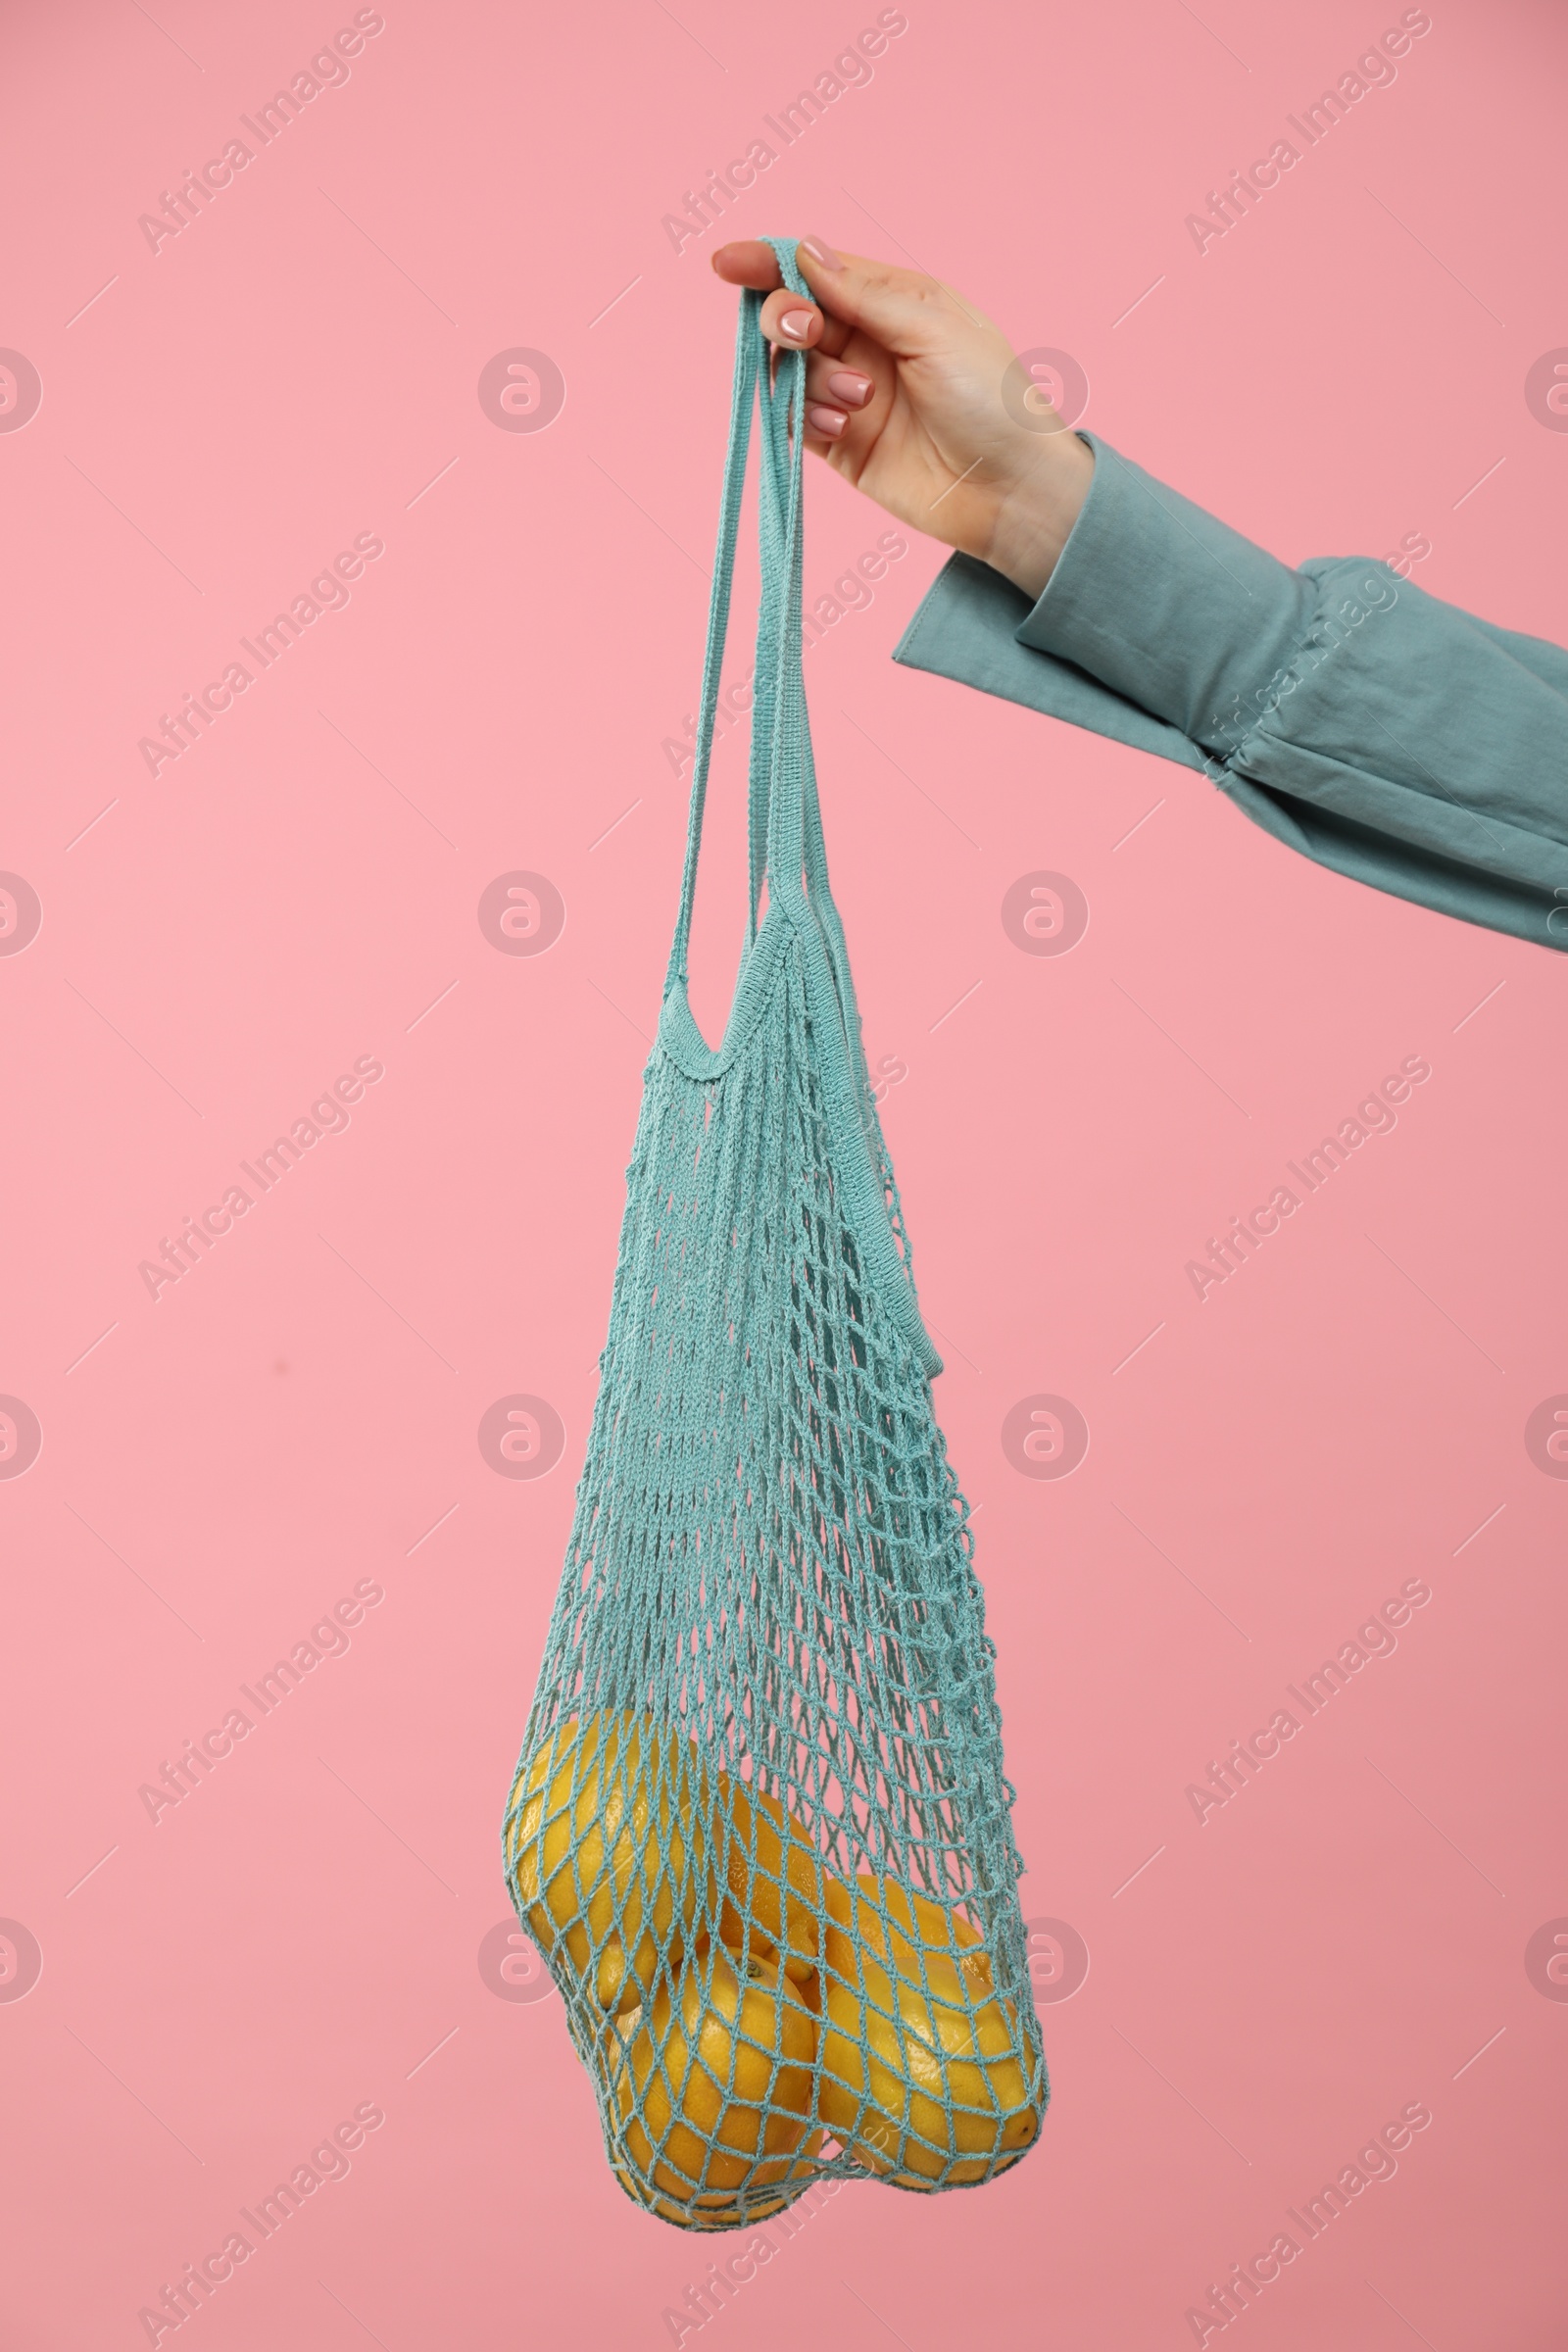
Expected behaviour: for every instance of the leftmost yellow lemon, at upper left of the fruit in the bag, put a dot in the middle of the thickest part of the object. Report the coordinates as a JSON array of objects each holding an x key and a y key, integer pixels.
[{"x": 603, "y": 1855}]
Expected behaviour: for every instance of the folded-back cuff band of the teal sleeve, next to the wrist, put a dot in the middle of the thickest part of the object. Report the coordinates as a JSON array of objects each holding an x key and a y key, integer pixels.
[{"x": 1167, "y": 606}]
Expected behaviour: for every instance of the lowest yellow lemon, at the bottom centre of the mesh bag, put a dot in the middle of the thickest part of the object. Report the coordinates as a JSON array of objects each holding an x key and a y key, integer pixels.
[{"x": 711, "y": 2090}]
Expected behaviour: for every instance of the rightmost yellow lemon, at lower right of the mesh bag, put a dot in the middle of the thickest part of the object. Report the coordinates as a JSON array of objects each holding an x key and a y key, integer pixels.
[{"x": 897, "y": 2059}]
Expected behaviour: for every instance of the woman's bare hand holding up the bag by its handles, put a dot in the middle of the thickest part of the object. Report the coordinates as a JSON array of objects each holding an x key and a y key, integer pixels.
[{"x": 906, "y": 401}]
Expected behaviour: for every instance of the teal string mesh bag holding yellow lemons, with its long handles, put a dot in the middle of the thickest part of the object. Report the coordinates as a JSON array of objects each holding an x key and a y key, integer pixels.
[{"x": 760, "y": 1826}]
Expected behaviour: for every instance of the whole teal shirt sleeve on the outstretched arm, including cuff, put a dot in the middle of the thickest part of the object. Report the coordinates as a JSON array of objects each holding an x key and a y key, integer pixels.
[{"x": 1353, "y": 716}]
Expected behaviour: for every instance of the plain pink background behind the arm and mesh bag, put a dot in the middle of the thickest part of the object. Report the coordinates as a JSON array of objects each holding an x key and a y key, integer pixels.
[{"x": 300, "y": 1412}]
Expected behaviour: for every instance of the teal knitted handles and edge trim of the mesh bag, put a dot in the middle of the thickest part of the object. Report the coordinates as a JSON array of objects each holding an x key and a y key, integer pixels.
[{"x": 786, "y": 846}]
